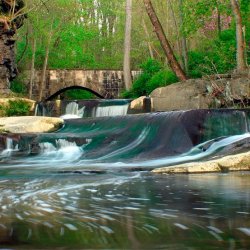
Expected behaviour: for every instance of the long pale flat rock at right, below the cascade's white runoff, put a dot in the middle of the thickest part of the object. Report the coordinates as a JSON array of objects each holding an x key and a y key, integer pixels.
[{"x": 239, "y": 162}]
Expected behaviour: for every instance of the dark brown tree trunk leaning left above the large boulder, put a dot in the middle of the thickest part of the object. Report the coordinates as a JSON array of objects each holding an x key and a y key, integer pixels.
[{"x": 172, "y": 61}]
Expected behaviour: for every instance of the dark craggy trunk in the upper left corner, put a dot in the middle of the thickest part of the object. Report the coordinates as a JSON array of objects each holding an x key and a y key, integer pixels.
[{"x": 11, "y": 18}]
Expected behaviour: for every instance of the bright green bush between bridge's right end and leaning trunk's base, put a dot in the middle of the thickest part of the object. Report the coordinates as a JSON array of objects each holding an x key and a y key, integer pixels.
[{"x": 153, "y": 76}]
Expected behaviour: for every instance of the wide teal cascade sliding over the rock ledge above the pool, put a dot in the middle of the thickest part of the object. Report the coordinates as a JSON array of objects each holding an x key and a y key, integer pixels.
[{"x": 148, "y": 140}]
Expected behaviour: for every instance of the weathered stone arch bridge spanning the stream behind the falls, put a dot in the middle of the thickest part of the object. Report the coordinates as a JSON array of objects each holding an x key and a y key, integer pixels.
[{"x": 103, "y": 83}]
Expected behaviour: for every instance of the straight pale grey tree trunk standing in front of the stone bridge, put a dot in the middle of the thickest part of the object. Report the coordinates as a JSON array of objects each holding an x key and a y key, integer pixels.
[{"x": 127, "y": 46}]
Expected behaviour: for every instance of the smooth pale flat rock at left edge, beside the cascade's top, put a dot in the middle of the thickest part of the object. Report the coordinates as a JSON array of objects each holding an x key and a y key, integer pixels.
[{"x": 30, "y": 124}]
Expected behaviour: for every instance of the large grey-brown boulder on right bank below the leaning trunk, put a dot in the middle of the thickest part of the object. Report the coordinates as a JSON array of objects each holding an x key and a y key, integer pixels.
[{"x": 202, "y": 94}]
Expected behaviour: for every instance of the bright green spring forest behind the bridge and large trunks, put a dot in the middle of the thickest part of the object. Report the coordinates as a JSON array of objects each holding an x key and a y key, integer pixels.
[{"x": 89, "y": 34}]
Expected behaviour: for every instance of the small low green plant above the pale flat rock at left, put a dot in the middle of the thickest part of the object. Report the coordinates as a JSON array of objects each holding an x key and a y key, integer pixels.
[{"x": 17, "y": 108}]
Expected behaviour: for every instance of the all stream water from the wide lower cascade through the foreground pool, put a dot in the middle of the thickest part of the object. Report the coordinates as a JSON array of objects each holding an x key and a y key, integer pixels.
[{"x": 88, "y": 185}]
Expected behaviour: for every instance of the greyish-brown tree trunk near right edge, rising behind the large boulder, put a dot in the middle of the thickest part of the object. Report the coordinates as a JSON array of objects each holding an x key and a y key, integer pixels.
[{"x": 241, "y": 61}]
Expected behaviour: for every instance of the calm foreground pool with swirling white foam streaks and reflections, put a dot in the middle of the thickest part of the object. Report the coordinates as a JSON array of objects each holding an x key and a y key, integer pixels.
[{"x": 125, "y": 211}]
